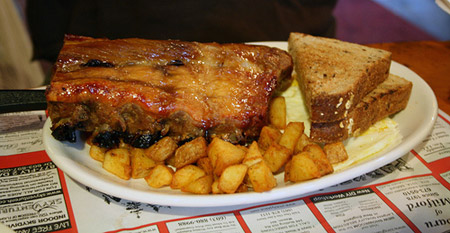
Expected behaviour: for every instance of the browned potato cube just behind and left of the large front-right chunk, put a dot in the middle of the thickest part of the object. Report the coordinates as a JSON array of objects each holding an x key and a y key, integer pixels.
[{"x": 276, "y": 156}]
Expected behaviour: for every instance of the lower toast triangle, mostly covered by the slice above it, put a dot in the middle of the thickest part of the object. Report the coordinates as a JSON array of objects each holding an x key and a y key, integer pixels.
[{"x": 388, "y": 98}]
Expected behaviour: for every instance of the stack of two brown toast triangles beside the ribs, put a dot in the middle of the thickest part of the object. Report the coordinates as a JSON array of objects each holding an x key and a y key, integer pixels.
[{"x": 347, "y": 87}]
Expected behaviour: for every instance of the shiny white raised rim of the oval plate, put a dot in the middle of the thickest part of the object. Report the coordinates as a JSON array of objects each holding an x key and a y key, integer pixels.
[{"x": 82, "y": 174}]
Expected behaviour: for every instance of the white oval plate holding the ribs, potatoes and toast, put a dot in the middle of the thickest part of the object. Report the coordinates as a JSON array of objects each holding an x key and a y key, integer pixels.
[{"x": 415, "y": 122}]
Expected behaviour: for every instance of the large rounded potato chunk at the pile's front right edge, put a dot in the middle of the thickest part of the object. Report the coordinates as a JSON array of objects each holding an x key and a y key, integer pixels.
[{"x": 301, "y": 168}]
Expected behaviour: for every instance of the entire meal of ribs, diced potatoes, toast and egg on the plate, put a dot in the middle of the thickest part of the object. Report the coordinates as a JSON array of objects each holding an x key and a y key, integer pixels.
[{"x": 208, "y": 118}]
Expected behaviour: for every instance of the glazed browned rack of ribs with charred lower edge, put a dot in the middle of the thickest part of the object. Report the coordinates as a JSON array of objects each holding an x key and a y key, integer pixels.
[{"x": 139, "y": 90}]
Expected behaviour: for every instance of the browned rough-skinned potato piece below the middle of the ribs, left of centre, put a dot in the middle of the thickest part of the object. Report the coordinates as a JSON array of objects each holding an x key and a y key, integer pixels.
[{"x": 190, "y": 152}]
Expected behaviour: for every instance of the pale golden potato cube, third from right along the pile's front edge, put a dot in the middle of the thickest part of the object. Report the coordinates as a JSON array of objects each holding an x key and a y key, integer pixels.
[{"x": 232, "y": 178}]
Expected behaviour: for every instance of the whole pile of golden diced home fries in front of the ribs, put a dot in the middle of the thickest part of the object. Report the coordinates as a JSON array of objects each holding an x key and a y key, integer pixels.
[{"x": 219, "y": 167}]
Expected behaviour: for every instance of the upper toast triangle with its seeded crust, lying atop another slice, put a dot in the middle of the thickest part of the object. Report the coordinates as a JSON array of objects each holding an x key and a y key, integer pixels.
[{"x": 335, "y": 75}]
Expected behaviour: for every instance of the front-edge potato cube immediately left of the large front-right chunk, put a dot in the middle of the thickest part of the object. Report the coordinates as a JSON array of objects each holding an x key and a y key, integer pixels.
[{"x": 261, "y": 177}]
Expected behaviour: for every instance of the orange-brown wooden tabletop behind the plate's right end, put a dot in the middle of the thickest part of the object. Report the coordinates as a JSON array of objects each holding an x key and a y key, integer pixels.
[{"x": 430, "y": 60}]
